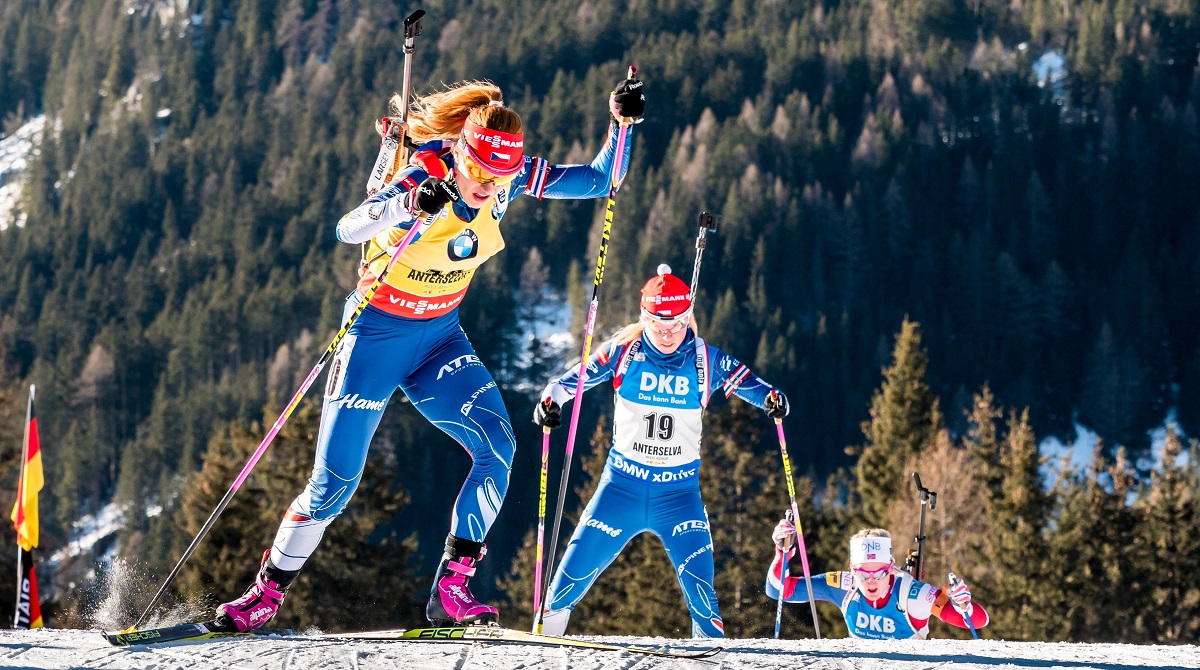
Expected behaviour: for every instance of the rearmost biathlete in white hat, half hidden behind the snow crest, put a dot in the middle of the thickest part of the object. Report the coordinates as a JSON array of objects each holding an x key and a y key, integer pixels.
[{"x": 878, "y": 601}]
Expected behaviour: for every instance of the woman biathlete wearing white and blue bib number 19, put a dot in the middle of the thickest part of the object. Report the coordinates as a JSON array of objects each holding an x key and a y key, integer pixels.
[{"x": 664, "y": 376}]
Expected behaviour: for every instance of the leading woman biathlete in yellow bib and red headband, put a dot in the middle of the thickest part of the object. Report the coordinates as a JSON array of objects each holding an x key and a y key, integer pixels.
[{"x": 467, "y": 174}]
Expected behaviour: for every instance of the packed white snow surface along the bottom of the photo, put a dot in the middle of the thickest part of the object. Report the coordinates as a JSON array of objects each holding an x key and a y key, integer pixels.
[{"x": 87, "y": 649}]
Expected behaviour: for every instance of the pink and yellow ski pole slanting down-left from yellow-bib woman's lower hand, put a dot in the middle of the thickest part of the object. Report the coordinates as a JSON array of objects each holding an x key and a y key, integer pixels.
[{"x": 413, "y": 235}]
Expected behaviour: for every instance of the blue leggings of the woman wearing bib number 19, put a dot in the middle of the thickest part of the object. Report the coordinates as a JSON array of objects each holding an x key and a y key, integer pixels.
[{"x": 622, "y": 509}]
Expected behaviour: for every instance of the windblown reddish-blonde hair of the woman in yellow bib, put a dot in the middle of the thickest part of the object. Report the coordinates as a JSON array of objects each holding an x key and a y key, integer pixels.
[{"x": 441, "y": 116}]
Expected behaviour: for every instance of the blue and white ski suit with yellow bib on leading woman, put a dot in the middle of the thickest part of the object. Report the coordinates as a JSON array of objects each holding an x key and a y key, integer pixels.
[{"x": 410, "y": 338}]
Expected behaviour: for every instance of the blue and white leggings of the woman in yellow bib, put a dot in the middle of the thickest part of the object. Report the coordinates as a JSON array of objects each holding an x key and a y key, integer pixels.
[{"x": 434, "y": 363}]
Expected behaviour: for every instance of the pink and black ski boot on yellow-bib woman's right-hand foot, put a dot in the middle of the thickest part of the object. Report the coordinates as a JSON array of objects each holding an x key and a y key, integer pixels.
[{"x": 451, "y": 600}]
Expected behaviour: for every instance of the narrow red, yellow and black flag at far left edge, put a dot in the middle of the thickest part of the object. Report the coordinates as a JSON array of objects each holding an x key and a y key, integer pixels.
[{"x": 25, "y": 518}]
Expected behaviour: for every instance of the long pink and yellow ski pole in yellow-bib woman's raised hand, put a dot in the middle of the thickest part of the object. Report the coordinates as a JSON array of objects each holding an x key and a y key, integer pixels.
[{"x": 589, "y": 331}]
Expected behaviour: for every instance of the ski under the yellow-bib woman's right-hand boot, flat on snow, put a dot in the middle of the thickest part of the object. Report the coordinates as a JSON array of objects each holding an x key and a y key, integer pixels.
[{"x": 511, "y": 637}]
